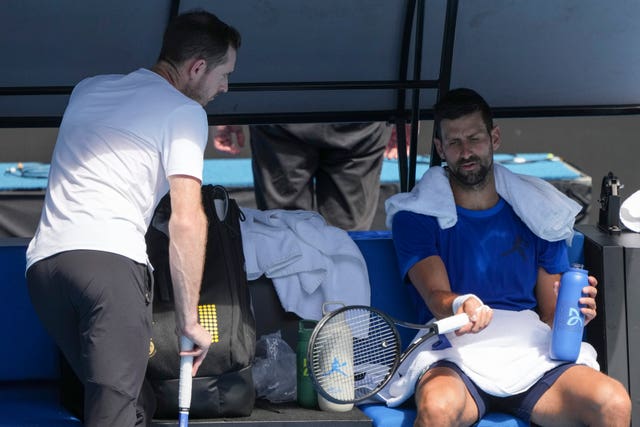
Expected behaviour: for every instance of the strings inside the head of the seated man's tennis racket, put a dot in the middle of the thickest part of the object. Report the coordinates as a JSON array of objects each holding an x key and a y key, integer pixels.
[{"x": 353, "y": 354}]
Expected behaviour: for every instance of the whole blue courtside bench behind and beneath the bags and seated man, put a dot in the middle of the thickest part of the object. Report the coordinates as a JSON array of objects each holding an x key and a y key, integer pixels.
[{"x": 30, "y": 364}]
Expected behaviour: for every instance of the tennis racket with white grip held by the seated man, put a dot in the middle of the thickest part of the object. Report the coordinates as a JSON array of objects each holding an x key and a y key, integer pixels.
[{"x": 355, "y": 350}]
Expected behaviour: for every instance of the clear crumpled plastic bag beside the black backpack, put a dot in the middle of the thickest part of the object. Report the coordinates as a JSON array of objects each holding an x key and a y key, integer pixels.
[{"x": 274, "y": 369}]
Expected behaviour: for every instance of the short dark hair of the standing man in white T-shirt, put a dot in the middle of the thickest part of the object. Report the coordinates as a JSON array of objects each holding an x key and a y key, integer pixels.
[{"x": 198, "y": 34}]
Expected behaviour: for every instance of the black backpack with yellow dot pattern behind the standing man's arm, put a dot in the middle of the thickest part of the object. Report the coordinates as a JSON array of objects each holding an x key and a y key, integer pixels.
[{"x": 224, "y": 385}]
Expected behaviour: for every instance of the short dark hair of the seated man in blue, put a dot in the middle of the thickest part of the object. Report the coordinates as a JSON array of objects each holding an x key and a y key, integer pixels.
[{"x": 461, "y": 102}]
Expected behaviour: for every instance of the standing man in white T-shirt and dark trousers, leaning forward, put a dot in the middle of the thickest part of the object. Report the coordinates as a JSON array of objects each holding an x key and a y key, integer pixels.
[{"x": 124, "y": 141}]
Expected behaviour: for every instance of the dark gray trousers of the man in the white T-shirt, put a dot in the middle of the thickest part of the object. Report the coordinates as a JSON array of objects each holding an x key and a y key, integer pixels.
[{"x": 97, "y": 308}]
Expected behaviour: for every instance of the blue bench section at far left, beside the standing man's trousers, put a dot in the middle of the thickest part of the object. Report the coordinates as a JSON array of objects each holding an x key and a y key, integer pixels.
[{"x": 29, "y": 361}]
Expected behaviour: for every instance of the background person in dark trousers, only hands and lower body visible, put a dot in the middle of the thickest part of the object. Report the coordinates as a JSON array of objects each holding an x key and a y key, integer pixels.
[{"x": 332, "y": 168}]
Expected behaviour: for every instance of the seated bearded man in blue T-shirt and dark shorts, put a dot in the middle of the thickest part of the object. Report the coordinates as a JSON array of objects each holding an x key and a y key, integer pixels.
[{"x": 484, "y": 255}]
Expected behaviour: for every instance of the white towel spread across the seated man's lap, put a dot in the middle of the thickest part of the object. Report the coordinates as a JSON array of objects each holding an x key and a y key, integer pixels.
[{"x": 506, "y": 358}]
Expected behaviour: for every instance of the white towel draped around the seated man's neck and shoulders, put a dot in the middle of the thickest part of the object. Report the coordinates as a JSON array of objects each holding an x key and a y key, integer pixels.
[{"x": 547, "y": 212}]
